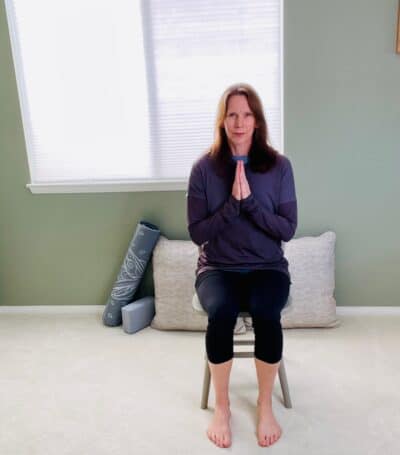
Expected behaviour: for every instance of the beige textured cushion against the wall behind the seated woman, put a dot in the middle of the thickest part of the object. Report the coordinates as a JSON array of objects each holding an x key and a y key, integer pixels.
[{"x": 311, "y": 300}]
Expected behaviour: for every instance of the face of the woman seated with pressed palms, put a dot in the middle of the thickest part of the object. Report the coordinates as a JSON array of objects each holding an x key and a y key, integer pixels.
[{"x": 239, "y": 122}]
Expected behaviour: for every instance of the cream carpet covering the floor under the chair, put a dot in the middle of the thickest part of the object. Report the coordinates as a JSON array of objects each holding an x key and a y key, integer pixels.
[{"x": 69, "y": 385}]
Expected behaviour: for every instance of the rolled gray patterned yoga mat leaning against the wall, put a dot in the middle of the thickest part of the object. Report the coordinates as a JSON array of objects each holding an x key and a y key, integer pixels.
[{"x": 132, "y": 270}]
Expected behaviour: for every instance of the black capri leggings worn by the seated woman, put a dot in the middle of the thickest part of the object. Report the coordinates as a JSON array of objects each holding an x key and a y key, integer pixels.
[{"x": 223, "y": 294}]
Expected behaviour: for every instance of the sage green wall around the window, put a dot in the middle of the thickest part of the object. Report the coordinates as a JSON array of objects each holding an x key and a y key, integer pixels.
[{"x": 342, "y": 124}]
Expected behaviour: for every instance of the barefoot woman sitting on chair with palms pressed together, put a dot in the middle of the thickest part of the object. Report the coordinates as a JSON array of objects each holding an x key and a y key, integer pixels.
[{"x": 241, "y": 204}]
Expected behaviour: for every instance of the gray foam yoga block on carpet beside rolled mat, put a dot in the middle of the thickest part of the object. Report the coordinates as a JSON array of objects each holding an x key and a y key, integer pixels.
[{"x": 138, "y": 314}]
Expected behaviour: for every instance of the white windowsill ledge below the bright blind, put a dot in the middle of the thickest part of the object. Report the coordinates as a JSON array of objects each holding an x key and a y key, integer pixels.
[{"x": 109, "y": 187}]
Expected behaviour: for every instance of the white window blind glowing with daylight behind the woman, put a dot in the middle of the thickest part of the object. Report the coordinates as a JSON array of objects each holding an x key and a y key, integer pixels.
[{"x": 123, "y": 94}]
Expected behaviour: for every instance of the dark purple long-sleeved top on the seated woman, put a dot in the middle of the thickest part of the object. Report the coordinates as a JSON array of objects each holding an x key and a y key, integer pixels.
[{"x": 245, "y": 234}]
